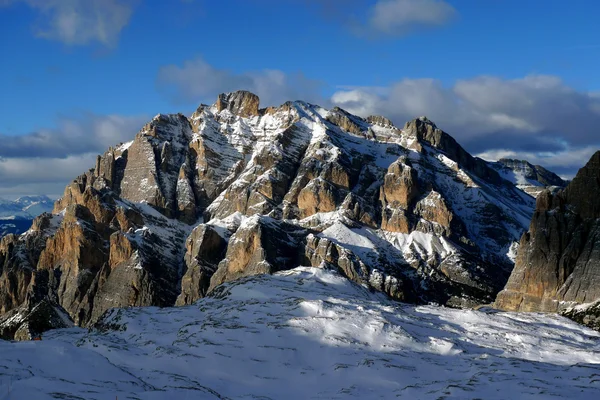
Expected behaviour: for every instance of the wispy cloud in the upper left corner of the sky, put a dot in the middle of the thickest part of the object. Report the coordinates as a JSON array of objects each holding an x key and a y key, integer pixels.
[{"x": 78, "y": 22}]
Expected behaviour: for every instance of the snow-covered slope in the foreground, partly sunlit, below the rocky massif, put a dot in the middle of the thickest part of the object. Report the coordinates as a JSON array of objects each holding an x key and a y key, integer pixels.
[{"x": 307, "y": 333}]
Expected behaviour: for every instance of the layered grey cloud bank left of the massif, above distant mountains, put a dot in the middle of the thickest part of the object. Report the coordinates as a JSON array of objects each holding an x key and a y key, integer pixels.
[{"x": 43, "y": 162}]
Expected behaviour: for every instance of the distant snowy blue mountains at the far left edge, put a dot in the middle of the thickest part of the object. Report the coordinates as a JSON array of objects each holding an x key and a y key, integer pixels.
[{"x": 17, "y": 216}]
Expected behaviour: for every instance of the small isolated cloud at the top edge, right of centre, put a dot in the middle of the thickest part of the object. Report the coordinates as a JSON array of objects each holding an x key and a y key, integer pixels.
[{"x": 399, "y": 17}]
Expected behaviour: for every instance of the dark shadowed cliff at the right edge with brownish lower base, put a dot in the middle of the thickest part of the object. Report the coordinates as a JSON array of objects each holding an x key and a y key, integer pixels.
[{"x": 558, "y": 263}]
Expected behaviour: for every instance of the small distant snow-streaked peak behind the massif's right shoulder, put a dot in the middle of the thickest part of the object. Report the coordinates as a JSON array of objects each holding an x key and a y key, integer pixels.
[{"x": 532, "y": 179}]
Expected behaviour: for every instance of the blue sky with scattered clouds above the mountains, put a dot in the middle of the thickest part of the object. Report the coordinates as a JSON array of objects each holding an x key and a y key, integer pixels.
[{"x": 506, "y": 78}]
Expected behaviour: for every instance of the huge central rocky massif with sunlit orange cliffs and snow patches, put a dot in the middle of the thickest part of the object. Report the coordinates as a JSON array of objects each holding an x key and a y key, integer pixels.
[{"x": 237, "y": 190}]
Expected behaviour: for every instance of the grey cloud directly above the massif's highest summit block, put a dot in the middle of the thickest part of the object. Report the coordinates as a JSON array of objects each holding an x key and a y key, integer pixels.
[{"x": 196, "y": 81}]
